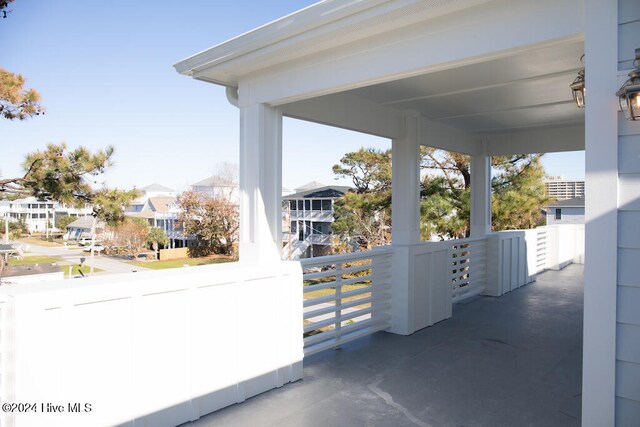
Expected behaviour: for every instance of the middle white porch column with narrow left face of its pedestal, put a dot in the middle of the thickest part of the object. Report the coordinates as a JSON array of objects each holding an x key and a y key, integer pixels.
[{"x": 406, "y": 223}]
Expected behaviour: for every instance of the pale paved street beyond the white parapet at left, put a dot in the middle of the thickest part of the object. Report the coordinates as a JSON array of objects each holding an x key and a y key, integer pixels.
[{"x": 72, "y": 255}]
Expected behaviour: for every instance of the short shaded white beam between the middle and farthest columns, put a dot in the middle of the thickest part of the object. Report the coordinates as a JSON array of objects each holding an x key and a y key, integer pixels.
[{"x": 445, "y": 137}]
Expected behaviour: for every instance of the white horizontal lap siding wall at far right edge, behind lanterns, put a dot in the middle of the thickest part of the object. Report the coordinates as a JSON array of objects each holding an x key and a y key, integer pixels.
[{"x": 628, "y": 312}]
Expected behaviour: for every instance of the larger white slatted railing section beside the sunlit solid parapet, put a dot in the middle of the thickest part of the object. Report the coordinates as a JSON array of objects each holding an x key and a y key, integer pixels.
[{"x": 345, "y": 297}]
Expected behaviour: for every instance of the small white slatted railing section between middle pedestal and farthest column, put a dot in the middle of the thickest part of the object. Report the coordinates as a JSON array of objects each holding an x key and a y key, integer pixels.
[{"x": 469, "y": 262}]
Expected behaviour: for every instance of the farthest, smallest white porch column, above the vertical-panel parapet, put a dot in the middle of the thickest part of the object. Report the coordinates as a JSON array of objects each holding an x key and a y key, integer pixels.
[{"x": 480, "y": 195}]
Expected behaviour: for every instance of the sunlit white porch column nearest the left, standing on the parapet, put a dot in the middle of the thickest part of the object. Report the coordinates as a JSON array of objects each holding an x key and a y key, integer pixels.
[{"x": 260, "y": 183}]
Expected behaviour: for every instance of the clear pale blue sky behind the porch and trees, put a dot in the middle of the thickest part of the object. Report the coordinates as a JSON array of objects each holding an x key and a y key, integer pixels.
[{"x": 105, "y": 73}]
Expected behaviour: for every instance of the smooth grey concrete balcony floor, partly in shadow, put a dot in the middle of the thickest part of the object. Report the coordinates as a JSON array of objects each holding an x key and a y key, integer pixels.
[{"x": 509, "y": 361}]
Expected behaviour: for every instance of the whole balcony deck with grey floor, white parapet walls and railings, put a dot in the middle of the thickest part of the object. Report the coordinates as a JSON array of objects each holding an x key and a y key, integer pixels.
[{"x": 163, "y": 348}]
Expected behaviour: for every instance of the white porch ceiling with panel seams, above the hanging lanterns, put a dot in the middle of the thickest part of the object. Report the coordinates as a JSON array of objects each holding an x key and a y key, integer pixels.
[{"x": 523, "y": 90}]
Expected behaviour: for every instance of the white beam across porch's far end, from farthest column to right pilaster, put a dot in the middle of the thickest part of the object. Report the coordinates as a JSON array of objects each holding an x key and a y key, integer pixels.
[{"x": 539, "y": 140}]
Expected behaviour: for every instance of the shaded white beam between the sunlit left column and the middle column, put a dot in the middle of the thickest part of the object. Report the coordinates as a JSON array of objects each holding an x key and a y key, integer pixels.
[{"x": 347, "y": 111}]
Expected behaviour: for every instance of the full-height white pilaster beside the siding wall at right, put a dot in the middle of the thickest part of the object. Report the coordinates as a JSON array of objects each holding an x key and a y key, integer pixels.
[{"x": 601, "y": 202}]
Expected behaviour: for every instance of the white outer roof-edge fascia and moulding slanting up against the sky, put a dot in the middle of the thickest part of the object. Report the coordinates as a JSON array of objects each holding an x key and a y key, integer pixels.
[{"x": 319, "y": 27}]
